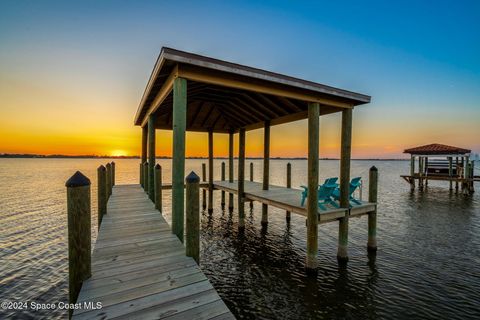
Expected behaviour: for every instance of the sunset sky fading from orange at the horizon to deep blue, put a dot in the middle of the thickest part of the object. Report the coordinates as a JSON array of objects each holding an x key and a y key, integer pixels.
[{"x": 72, "y": 73}]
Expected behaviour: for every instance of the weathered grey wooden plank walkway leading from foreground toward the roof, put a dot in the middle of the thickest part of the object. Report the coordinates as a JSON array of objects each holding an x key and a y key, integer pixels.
[{"x": 139, "y": 268}]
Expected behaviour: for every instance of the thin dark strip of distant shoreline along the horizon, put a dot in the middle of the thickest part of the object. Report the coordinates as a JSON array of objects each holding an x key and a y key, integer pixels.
[{"x": 60, "y": 156}]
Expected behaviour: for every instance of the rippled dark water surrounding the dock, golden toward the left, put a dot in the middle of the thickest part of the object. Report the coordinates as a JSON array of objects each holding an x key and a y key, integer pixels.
[{"x": 427, "y": 265}]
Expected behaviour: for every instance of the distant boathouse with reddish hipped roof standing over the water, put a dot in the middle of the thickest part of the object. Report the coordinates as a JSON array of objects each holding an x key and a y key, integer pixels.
[{"x": 441, "y": 162}]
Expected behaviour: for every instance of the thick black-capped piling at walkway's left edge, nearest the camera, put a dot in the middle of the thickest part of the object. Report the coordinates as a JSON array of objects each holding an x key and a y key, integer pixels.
[{"x": 79, "y": 233}]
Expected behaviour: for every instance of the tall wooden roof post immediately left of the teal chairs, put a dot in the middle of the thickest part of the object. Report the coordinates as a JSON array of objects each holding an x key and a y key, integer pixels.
[{"x": 312, "y": 200}]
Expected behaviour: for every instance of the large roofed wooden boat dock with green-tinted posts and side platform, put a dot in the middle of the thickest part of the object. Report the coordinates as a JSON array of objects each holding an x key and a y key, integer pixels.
[{"x": 190, "y": 92}]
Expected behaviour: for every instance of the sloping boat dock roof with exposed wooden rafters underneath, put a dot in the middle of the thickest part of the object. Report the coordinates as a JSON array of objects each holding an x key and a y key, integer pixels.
[{"x": 224, "y": 96}]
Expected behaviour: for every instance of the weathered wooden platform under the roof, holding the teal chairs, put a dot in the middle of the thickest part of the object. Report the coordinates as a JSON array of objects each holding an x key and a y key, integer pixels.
[{"x": 289, "y": 199}]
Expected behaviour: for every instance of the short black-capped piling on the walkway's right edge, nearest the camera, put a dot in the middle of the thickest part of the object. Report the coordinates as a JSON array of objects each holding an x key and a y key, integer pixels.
[{"x": 192, "y": 241}]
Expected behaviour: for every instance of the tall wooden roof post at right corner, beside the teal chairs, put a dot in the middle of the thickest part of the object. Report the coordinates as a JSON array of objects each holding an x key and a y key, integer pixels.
[{"x": 346, "y": 143}]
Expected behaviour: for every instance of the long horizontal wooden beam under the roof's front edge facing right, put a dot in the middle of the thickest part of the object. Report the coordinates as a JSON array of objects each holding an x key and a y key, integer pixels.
[{"x": 223, "y": 79}]
